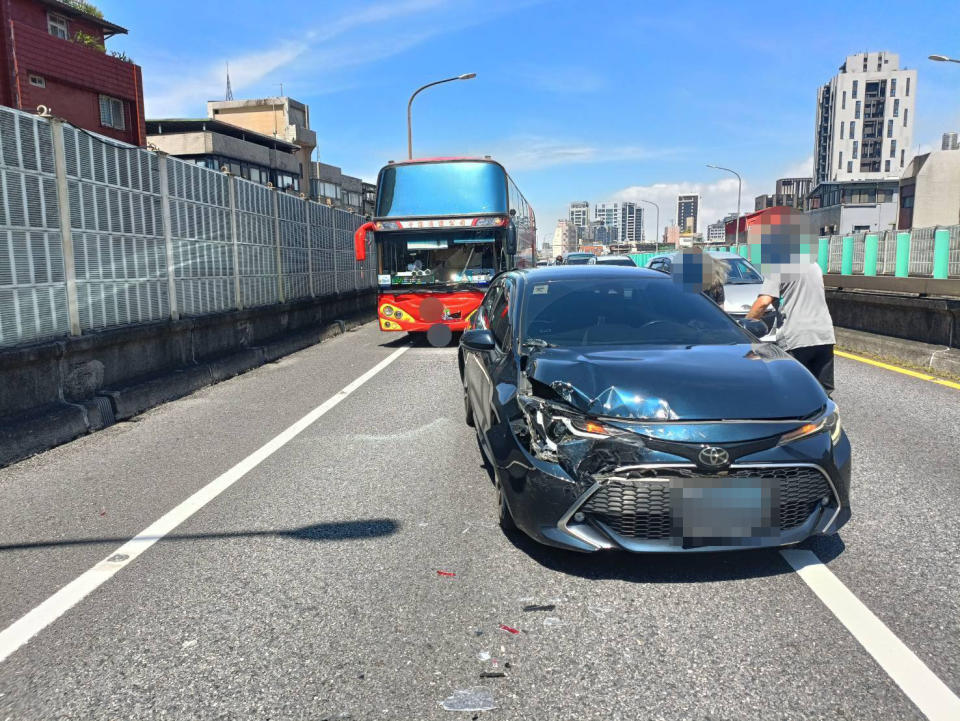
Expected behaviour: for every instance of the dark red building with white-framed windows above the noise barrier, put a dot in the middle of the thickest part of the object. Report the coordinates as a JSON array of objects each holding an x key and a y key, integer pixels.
[{"x": 53, "y": 55}]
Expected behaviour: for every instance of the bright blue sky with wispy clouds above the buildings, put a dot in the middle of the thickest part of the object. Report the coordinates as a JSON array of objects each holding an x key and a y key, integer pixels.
[{"x": 582, "y": 100}]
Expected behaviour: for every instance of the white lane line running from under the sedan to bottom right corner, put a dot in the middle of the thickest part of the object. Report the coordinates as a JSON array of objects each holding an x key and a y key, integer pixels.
[{"x": 931, "y": 695}]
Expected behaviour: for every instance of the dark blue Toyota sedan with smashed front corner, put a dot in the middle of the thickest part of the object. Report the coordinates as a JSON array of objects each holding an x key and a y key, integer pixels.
[{"x": 619, "y": 410}]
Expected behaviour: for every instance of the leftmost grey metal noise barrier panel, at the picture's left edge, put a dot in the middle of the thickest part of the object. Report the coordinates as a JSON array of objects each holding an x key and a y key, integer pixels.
[{"x": 33, "y": 303}]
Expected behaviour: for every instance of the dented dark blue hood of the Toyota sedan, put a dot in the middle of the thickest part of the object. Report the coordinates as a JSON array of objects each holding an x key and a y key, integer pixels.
[{"x": 739, "y": 382}]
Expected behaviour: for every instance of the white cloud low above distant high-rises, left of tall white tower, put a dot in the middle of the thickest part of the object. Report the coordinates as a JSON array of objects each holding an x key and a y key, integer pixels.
[{"x": 716, "y": 200}]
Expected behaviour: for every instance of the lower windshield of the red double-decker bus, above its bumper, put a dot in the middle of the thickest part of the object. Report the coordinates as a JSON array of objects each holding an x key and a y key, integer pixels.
[{"x": 445, "y": 259}]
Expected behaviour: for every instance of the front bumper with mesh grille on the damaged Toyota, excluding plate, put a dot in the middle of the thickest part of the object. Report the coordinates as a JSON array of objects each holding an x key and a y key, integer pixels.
[{"x": 554, "y": 506}]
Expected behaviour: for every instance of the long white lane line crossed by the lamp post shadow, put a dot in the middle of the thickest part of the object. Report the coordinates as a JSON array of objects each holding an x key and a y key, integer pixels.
[{"x": 34, "y": 621}]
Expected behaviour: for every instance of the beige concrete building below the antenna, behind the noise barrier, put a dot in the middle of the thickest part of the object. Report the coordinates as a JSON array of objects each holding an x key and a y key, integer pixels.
[{"x": 281, "y": 117}]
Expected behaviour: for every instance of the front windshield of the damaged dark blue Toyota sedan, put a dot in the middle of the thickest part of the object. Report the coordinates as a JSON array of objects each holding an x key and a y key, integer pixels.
[{"x": 623, "y": 311}]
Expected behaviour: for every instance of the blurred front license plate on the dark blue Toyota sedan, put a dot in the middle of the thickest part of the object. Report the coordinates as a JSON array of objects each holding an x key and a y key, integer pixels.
[{"x": 724, "y": 511}]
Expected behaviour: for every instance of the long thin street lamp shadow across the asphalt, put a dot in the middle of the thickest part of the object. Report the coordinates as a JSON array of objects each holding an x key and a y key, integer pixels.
[{"x": 332, "y": 531}]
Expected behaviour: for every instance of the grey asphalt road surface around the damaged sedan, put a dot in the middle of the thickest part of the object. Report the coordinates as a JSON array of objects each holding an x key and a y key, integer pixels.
[{"x": 306, "y": 586}]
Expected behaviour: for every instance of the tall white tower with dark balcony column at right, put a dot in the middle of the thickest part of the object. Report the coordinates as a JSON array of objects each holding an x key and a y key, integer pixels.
[{"x": 865, "y": 118}]
